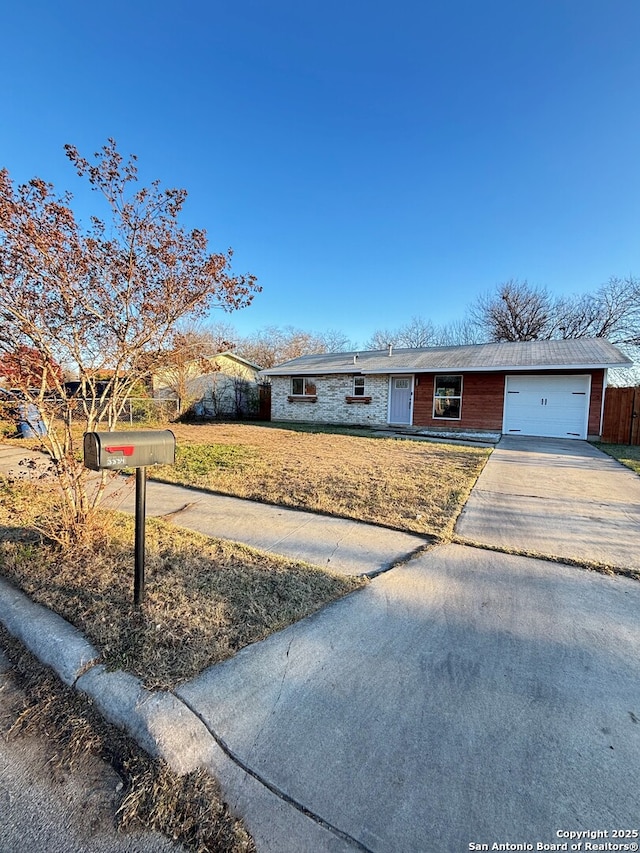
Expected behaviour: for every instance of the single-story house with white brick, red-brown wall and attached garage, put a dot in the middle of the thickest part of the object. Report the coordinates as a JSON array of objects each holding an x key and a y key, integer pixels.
[{"x": 540, "y": 388}]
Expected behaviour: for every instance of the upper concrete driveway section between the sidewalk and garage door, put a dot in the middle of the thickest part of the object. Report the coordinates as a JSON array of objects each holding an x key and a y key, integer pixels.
[{"x": 558, "y": 498}]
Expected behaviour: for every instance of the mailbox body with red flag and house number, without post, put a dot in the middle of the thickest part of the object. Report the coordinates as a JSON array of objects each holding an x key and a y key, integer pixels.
[{"x": 134, "y": 449}]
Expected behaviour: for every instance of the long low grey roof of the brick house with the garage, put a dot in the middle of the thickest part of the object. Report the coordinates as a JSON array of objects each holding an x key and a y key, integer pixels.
[{"x": 581, "y": 354}]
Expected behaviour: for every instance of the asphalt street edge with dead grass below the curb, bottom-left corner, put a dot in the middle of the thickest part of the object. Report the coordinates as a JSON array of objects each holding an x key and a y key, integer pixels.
[{"x": 72, "y": 781}]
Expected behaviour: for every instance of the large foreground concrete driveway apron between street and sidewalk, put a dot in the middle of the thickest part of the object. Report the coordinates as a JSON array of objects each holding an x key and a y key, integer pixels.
[{"x": 466, "y": 697}]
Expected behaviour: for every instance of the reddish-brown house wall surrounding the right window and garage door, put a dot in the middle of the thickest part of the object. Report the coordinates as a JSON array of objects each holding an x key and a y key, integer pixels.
[{"x": 483, "y": 400}]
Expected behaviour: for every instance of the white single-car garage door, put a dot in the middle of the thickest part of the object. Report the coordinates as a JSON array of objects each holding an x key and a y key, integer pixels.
[{"x": 548, "y": 406}]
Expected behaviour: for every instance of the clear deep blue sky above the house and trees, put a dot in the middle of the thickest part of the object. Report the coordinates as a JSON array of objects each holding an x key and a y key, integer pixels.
[{"x": 368, "y": 161}]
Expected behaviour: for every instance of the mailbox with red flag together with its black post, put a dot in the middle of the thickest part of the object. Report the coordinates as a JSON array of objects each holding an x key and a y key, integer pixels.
[{"x": 113, "y": 451}]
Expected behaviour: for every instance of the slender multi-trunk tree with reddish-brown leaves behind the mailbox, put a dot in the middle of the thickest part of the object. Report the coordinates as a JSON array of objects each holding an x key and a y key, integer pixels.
[{"x": 103, "y": 299}]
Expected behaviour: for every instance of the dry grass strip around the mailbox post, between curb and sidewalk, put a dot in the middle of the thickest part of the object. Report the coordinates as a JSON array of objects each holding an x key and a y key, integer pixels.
[{"x": 205, "y": 598}]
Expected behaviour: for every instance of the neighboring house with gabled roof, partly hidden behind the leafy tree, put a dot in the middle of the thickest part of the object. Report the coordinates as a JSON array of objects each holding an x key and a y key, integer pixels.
[{"x": 216, "y": 386}]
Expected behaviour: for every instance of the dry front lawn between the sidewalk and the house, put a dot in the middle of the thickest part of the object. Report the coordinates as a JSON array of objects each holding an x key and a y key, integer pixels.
[{"x": 409, "y": 485}]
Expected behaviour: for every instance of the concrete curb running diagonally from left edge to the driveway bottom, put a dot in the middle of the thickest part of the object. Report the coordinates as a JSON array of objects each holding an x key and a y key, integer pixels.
[{"x": 166, "y": 728}]
